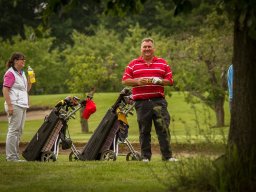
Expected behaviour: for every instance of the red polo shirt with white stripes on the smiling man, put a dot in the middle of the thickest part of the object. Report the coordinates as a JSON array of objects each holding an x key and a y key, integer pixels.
[{"x": 138, "y": 68}]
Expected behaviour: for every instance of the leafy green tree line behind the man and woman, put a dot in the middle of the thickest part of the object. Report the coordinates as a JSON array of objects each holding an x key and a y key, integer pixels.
[{"x": 73, "y": 46}]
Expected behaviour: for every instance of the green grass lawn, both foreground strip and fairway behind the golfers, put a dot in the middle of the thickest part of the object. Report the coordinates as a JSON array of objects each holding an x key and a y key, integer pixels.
[{"x": 190, "y": 125}]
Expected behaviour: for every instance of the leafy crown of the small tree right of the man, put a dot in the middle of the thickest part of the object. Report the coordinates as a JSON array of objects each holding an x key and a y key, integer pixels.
[{"x": 200, "y": 62}]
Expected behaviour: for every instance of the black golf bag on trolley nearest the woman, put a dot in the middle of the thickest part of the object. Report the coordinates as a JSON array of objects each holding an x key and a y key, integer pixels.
[{"x": 44, "y": 146}]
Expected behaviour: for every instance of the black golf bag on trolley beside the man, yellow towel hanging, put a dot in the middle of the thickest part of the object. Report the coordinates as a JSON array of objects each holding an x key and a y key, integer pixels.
[{"x": 110, "y": 133}]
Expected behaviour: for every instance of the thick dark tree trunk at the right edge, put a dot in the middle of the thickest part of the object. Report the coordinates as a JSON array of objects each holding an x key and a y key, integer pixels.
[{"x": 242, "y": 141}]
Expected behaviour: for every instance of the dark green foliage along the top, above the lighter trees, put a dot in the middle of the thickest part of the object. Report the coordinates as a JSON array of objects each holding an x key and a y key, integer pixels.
[{"x": 62, "y": 17}]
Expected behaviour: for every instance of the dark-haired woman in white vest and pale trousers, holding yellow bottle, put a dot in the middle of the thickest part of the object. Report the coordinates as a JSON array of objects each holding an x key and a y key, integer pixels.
[{"x": 15, "y": 92}]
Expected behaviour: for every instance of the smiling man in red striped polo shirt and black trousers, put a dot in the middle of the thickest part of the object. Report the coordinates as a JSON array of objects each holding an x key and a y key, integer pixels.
[{"x": 148, "y": 75}]
